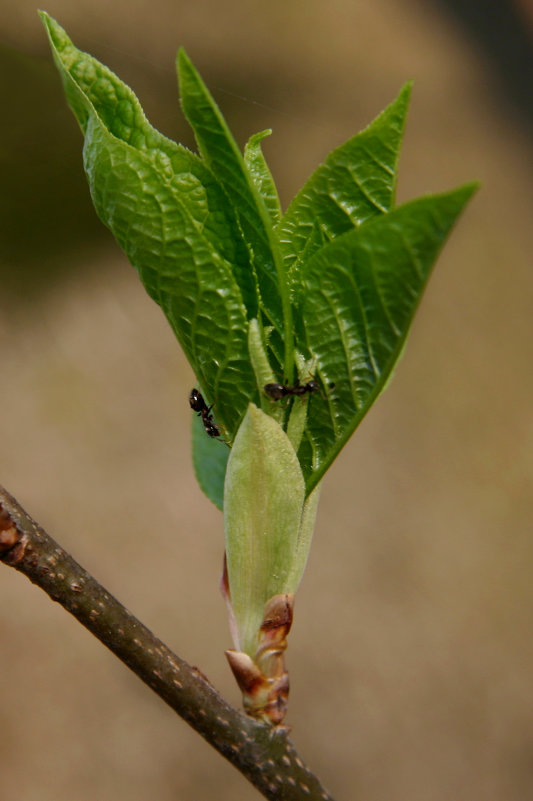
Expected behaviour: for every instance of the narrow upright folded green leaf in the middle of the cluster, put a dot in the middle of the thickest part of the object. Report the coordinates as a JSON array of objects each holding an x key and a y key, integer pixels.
[{"x": 220, "y": 152}]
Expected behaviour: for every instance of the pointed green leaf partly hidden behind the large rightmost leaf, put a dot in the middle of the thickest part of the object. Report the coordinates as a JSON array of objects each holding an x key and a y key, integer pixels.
[{"x": 356, "y": 182}]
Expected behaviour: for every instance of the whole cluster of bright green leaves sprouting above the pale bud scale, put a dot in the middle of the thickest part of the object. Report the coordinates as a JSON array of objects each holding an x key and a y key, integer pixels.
[{"x": 250, "y": 295}]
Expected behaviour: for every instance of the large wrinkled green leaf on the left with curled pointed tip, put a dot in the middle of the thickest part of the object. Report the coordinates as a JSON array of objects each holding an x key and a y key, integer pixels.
[{"x": 172, "y": 218}]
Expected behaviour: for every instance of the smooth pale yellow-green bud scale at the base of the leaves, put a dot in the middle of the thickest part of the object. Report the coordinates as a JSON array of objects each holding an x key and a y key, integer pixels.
[{"x": 263, "y": 506}]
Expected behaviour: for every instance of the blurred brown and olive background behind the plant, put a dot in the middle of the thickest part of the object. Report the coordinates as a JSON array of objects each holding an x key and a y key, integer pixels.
[{"x": 411, "y": 656}]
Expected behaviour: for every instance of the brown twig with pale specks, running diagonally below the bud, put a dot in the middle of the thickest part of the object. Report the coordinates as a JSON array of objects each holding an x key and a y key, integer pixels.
[{"x": 263, "y": 754}]
